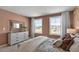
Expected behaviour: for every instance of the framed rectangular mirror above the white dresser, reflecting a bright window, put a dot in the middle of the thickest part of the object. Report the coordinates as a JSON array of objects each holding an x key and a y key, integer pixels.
[{"x": 16, "y": 26}]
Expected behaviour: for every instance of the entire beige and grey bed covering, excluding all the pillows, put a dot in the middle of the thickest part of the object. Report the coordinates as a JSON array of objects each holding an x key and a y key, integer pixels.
[{"x": 39, "y": 44}]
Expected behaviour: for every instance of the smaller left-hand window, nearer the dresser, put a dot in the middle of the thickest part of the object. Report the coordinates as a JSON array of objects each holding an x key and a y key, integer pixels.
[{"x": 38, "y": 25}]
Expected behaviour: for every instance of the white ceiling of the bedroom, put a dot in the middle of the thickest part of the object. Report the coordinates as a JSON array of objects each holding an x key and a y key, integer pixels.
[{"x": 34, "y": 11}]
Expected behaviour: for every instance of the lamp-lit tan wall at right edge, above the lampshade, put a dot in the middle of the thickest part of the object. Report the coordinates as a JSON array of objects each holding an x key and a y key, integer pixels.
[{"x": 75, "y": 18}]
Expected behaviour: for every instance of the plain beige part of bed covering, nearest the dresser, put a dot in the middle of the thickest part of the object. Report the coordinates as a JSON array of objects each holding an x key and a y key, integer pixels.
[{"x": 31, "y": 44}]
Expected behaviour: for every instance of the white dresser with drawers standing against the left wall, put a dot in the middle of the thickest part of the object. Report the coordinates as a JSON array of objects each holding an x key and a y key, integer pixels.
[{"x": 14, "y": 38}]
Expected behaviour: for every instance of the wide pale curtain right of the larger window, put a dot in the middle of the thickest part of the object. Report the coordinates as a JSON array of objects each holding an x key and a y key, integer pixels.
[{"x": 65, "y": 23}]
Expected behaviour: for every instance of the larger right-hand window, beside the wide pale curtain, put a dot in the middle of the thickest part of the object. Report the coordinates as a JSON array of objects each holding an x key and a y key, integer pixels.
[{"x": 55, "y": 25}]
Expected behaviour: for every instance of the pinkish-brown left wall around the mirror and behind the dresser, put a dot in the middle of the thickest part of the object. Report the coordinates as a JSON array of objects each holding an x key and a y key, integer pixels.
[{"x": 5, "y": 17}]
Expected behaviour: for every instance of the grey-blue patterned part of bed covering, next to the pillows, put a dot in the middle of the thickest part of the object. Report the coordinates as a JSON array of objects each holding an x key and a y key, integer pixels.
[{"x": 47, "y": 46}]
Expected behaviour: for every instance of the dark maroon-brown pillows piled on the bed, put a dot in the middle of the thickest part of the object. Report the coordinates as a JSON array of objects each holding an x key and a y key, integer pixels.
[{"x": 67, "y": 42}]
